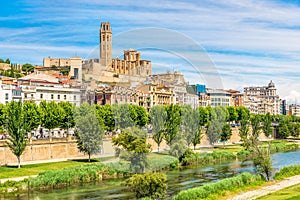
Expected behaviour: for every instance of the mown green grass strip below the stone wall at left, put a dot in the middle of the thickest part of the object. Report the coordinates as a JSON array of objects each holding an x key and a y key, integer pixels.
[{"x": 34, "y": 169}]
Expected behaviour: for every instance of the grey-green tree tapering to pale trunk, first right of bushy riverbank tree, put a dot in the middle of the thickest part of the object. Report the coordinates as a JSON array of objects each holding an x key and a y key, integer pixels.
[{"x": 158, "y": 117}]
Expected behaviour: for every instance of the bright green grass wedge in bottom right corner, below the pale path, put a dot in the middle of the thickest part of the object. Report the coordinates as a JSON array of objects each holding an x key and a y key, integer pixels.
[{"x": 291, "y": 193}]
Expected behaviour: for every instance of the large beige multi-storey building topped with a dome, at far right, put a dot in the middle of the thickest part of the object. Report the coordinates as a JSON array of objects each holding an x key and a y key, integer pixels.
[{"x": 262, "y": 100}]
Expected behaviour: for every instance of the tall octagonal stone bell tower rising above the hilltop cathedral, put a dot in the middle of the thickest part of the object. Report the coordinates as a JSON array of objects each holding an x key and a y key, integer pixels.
[{"x": 105, "y": 44}]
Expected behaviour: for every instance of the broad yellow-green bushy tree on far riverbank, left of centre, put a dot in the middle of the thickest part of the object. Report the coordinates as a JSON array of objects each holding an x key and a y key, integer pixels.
[{"x": 134, "y": 146}]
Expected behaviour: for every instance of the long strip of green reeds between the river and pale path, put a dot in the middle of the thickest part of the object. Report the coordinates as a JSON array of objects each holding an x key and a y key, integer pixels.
[{"x": 227, "y": 184}]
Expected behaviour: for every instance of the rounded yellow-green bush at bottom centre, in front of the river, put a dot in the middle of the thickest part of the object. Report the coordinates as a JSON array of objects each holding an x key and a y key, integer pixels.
[{"x": 148, "y": 185}]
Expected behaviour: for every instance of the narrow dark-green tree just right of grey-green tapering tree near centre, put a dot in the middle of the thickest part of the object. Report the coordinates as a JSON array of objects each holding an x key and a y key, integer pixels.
[{"x": 172, "y": 122}]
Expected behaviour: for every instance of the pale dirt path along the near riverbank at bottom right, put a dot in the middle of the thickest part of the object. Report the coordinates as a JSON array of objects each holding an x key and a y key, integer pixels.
[{"x": 268, "y": 189}]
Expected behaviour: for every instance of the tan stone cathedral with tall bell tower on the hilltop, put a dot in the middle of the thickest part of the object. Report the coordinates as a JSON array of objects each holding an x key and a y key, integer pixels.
[{"x": 114, "y": 70}]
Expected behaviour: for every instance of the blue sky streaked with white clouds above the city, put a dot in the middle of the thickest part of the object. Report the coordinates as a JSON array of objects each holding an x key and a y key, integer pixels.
[{"x": 228, "y": 42}]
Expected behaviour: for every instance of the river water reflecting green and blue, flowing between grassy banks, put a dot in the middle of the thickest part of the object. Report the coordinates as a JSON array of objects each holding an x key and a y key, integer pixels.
[{"x": 187, "y": 177}]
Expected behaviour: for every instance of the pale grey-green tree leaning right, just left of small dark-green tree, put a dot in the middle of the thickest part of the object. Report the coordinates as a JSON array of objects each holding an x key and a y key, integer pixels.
[{"x": 218, "y": 116}]
